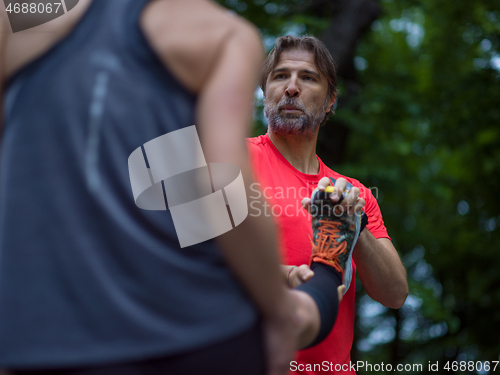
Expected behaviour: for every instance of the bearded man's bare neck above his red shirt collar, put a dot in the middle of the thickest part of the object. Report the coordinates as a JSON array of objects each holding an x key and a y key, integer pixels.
[{"x": 298, "y": 150}]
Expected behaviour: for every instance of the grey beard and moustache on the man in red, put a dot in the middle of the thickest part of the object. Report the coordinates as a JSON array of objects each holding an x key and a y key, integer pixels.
[{"x": 305, "y": 123}]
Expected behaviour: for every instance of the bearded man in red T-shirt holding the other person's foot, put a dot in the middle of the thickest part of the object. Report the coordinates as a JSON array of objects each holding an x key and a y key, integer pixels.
[{"x": 300, "y": 91}]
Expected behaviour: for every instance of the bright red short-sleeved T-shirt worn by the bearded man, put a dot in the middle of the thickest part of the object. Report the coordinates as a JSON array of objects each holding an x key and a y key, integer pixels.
[{"x": 284, "y": 187}]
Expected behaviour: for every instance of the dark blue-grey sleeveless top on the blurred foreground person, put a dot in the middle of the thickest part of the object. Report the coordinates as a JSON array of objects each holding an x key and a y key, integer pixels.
[{"x": 87, "y": 277}]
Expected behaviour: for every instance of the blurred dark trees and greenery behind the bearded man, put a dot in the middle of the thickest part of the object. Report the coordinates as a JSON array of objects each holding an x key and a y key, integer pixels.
[{"x": 419, "y": 121}]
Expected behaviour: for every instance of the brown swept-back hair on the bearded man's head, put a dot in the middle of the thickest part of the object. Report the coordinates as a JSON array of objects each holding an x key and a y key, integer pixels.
[{"x": 322, "y": 58}]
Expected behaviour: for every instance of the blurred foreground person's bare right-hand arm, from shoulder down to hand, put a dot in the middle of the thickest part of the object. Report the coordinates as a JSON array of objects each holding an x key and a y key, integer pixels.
[{"x": 222, "y": 66}]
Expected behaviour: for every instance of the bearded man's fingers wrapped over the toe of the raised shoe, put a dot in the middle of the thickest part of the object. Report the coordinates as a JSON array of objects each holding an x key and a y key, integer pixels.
[{"x": 352, "y": 203}]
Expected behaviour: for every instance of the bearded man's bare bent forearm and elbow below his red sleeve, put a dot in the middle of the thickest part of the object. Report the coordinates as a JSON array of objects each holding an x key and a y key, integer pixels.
[{"x": 381, "y": 271}]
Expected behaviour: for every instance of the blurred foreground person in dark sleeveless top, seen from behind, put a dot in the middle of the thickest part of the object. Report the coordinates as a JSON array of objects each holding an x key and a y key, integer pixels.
[{"x": 89, "y": 282}]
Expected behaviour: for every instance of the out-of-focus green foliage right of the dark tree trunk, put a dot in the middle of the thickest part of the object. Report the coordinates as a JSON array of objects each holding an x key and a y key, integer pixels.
[{"x": 428, "y": 128}]
